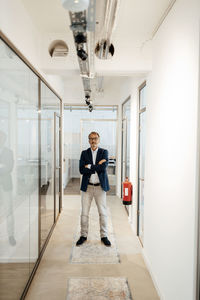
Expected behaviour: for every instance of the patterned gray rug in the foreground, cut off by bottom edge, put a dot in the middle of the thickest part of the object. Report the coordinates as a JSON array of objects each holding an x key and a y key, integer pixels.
[{"x": 105, "y": 288}]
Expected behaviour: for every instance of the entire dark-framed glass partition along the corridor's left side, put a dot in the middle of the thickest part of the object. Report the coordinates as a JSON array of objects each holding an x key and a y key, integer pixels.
[{"x": 28, "y": 202}]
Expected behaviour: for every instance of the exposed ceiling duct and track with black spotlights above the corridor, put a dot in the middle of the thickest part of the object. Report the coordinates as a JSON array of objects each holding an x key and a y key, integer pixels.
[{"x": 83, "y": 26}]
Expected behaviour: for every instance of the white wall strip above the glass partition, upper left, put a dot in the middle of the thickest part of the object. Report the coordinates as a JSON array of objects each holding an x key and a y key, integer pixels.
[{"x": 18, "y": 27}]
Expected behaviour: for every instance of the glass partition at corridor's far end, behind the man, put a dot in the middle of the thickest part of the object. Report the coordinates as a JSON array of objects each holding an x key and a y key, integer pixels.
[{"x": 78, "y": 123}]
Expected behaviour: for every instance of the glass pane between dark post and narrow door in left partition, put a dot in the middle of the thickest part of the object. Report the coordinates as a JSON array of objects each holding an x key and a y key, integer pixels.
[{"x": 49, "y": 104}]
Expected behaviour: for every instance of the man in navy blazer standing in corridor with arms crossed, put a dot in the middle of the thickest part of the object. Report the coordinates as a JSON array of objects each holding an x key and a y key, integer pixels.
[{"x": 93, "y": 164}]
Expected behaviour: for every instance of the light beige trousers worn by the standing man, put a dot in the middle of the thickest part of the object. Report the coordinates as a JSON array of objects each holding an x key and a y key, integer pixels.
[{"x": 99, "y": 196}]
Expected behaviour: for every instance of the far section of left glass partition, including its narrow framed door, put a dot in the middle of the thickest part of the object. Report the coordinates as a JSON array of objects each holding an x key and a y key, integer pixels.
[{"x": 49, "y": 181}]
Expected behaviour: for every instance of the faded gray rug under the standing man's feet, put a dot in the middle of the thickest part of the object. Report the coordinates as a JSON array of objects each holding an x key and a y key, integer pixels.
[{"x": 93, "y": 251}]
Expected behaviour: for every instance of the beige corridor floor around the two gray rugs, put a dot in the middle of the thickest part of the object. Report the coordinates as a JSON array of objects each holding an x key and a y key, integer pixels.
[{"x": 56, "y": 270}]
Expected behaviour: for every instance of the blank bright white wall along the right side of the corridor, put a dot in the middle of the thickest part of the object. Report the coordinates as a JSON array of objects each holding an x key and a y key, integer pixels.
[{"x": 169, "y": 215}]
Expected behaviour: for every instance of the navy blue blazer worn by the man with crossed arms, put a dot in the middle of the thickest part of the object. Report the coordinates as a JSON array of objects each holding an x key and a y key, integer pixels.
[{"x": 86, "y": 159}]
